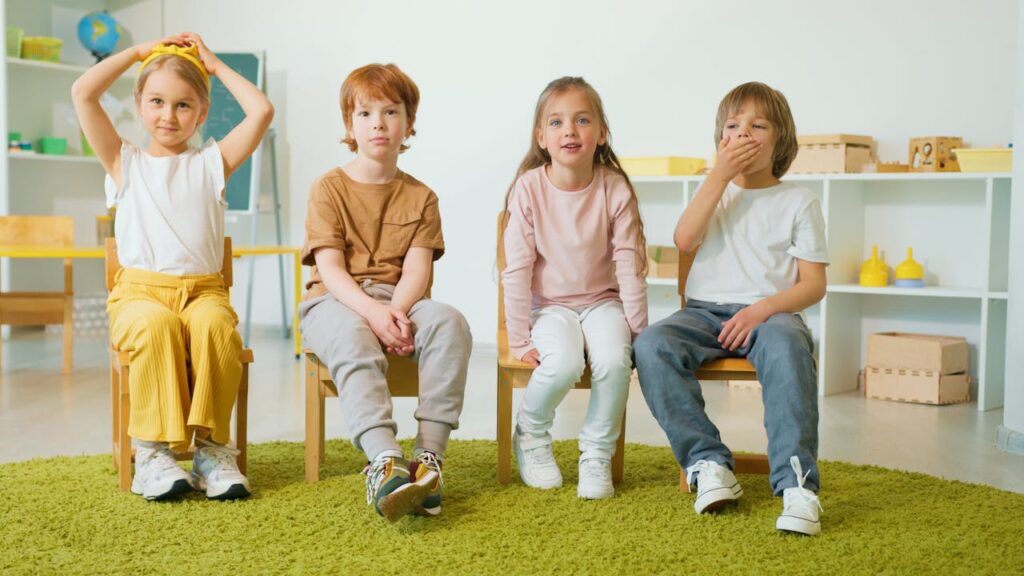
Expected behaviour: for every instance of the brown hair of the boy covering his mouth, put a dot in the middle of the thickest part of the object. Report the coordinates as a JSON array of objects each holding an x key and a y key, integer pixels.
[{"x": 776, "y": 109}]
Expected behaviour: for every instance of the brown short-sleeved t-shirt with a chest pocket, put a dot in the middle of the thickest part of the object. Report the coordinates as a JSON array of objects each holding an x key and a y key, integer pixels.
[{"x": 374, "y": 225}]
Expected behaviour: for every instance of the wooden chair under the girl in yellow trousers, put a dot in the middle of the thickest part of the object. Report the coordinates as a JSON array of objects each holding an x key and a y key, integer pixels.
[{"x": 120, "y": 394}]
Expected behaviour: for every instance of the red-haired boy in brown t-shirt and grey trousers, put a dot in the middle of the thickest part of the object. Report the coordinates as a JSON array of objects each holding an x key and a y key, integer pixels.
[{"x": 372, "y": 234}]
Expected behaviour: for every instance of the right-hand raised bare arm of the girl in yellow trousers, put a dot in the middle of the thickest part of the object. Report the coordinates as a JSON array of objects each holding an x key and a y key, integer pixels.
[{"x": 243, "y": 140}]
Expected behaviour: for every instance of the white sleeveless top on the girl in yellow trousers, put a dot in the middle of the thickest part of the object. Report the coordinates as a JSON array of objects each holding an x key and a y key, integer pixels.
[{"x": 170, "y": 211}]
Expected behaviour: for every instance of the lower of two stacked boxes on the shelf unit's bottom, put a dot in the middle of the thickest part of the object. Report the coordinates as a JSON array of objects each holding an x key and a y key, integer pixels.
[{"x": 915, "y": 386}]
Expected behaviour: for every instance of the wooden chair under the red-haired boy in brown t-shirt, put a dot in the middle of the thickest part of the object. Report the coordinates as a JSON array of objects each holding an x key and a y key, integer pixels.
[{"x": 403, "y": 381}]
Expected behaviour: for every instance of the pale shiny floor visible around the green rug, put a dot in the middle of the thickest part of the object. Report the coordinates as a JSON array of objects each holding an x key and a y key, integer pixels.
[{"x": 45, "y": 414}]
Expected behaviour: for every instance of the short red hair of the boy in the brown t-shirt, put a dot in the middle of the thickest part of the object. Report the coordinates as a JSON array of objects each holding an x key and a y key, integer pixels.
[{"x": 383, "y": 81}]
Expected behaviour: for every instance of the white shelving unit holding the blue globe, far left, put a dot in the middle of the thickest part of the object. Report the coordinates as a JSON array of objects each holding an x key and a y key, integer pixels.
[{"x": 37, "y": 104}]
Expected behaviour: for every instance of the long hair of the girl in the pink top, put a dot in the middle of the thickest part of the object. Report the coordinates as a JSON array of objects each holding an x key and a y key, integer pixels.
[{"x": 604, "y": 156}]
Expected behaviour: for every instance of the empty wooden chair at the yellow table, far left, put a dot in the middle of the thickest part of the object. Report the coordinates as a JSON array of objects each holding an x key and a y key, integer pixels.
[{"x": 33, "y": 309}]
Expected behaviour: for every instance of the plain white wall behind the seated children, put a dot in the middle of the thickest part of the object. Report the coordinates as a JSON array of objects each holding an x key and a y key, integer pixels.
[{"x": 892, "y": 70}]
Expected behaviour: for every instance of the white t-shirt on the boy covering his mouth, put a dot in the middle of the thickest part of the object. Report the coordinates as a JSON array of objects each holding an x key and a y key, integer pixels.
[{"x": 753, "y": 242}]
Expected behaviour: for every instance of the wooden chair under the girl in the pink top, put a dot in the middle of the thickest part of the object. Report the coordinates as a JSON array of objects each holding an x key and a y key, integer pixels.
[{"x": 514, "y": 374}]
